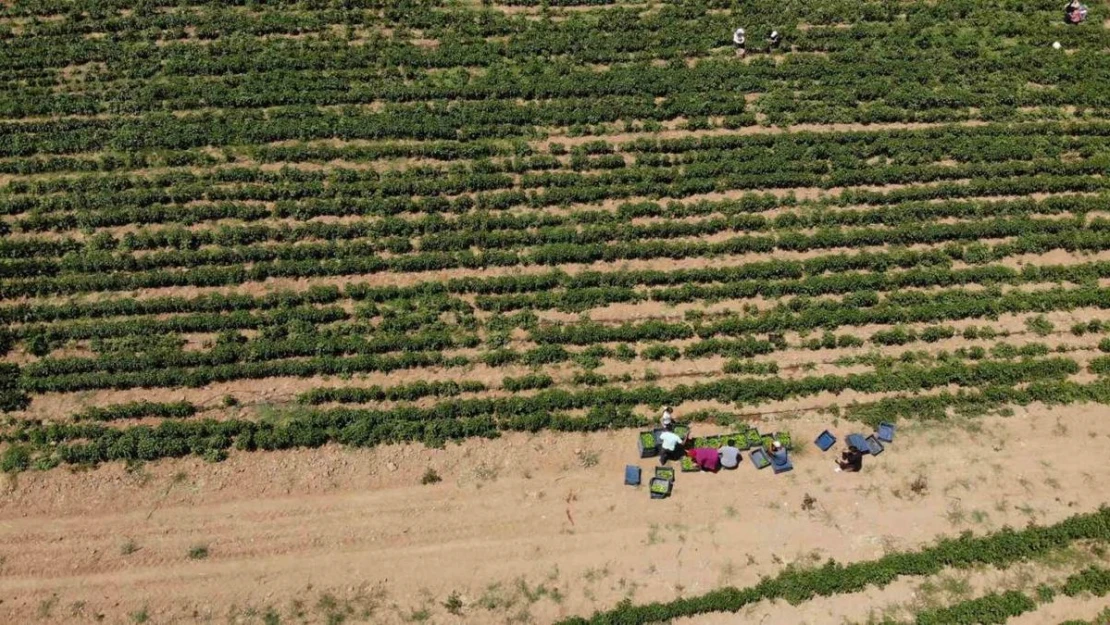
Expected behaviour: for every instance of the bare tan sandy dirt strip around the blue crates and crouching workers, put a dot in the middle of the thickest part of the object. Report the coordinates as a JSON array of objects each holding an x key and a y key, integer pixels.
[{"x": 527, "y": 529}]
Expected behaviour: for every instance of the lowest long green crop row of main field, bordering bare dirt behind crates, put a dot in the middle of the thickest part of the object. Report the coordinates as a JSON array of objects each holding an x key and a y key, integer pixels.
[{"x": 455, "y": 419}]
